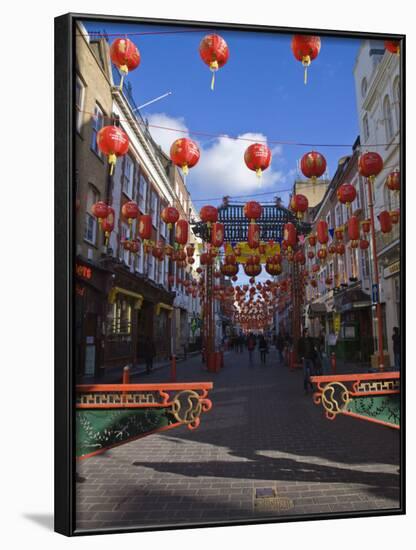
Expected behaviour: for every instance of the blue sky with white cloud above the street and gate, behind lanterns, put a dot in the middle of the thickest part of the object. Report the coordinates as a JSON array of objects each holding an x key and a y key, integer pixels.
[{"x": 259, "y": 92}]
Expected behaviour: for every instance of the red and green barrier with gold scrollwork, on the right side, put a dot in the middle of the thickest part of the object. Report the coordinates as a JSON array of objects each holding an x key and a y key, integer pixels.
[{"x": 371, "y": 397}]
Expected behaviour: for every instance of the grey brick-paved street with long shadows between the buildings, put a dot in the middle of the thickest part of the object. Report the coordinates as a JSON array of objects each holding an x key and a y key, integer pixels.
[{"x": 262, "y": 433}]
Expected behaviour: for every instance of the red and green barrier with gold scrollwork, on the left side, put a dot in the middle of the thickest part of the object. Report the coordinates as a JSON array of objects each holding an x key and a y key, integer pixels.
[{"x": 108, "y": 415}]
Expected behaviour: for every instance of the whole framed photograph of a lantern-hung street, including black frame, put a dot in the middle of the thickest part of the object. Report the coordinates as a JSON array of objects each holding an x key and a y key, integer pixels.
[{"x": 229, "y": 282}]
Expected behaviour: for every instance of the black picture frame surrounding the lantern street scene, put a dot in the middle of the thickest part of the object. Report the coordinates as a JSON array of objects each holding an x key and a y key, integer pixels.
[{"x": 65, "y": 254}]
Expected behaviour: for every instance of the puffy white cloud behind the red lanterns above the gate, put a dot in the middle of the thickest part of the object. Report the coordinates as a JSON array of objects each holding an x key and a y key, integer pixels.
[{"x": 221, "y": 168}]
